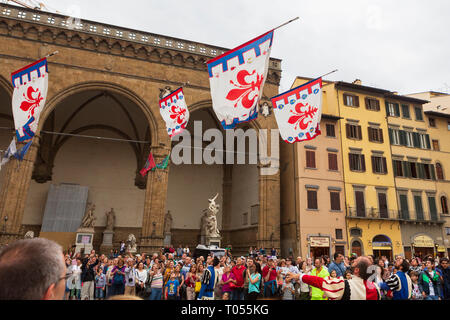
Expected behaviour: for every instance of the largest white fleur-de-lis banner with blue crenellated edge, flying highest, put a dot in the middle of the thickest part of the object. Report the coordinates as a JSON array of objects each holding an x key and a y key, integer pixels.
[{"x": 237, "y": 79}]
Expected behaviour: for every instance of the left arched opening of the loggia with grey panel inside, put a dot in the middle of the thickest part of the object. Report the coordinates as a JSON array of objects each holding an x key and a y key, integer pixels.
[{"x": 72, "y": 168}]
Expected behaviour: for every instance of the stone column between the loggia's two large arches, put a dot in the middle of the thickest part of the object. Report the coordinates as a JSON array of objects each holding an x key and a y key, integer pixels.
[{"x": 152, "y": 236}]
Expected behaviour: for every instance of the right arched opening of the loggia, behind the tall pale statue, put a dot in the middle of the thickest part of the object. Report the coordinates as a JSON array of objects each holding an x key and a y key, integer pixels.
[{"x": 236, "y": 184}]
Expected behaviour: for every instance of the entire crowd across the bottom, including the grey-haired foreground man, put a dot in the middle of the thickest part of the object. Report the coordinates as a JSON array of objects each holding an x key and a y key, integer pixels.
[{"x": 180, "y": 275}]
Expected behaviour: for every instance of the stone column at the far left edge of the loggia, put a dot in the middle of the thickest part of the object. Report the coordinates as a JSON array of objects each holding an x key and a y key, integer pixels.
[{"x": 13, "y": 195}]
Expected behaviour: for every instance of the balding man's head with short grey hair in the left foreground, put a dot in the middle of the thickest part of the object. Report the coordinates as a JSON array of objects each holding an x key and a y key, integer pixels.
[{"x": 32, "y": 269}]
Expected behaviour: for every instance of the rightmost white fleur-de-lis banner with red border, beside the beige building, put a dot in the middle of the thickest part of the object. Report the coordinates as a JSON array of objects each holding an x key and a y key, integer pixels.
[{"x": 298, "y": 112}]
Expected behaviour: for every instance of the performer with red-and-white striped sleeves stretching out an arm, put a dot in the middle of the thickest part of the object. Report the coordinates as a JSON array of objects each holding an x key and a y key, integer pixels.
[{"x": 357, "y": 288}]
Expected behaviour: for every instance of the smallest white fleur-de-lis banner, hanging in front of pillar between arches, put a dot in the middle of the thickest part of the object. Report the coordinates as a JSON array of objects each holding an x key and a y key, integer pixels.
[{"x": 175, "y": 112}]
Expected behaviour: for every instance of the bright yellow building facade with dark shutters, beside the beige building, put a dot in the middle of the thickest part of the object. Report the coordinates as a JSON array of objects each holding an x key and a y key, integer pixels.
[{"x": 371, "y": 205}]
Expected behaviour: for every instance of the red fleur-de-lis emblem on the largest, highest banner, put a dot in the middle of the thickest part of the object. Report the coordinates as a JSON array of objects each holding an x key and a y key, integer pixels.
[{"x": 244, "y": 89}]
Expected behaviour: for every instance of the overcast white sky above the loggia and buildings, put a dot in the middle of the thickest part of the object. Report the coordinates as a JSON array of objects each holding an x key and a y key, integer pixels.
[{"x": 401, "y": 45}]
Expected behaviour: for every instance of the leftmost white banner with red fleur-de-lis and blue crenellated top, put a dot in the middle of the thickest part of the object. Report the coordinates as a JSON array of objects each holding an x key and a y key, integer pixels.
[{"x": 30, "y": 92}]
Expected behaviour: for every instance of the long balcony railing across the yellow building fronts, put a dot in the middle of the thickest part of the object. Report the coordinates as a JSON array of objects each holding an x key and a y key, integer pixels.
[{"x": 376, "y": 214}]
